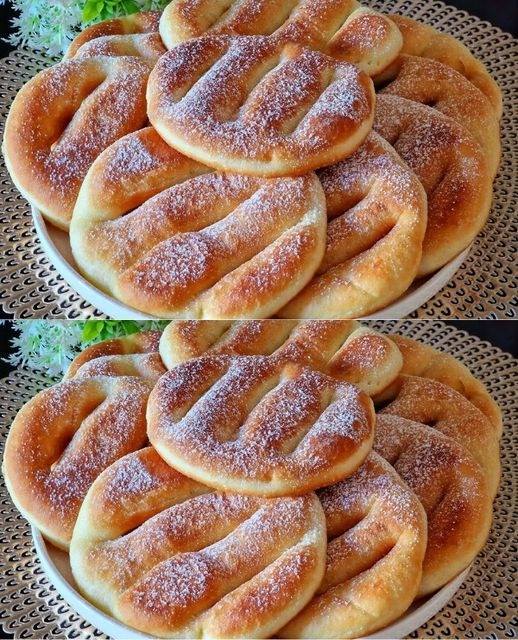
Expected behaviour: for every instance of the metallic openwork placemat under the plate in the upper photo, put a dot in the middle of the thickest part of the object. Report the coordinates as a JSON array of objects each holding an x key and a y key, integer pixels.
[{"x": 483, "y": 287}]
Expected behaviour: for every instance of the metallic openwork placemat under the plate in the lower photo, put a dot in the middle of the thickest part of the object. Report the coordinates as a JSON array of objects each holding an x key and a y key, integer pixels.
[{"x": 30, "y": 607}]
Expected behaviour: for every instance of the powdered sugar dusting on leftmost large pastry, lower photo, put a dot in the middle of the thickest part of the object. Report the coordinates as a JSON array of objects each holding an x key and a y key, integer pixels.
[{"x": 104, "y": 420}]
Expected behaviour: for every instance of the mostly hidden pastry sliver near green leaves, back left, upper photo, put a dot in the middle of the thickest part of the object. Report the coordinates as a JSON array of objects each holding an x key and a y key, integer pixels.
[{"x": 134, "y": 24}]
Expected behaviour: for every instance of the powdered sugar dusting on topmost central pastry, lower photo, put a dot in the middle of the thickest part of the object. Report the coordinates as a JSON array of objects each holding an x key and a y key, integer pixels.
[{"x": 253, "y": 423}]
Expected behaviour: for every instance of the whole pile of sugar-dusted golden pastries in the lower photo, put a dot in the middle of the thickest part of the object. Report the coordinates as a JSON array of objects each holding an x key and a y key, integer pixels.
[{"x": 298, "y": 479}]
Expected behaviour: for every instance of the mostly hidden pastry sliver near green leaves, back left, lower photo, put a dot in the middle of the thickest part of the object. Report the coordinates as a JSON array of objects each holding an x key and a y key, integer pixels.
[{"x": 143, "y": 342}]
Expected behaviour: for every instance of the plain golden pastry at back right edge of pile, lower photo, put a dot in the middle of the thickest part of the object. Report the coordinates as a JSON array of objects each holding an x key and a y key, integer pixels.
[{"x": 419, "y": 359}]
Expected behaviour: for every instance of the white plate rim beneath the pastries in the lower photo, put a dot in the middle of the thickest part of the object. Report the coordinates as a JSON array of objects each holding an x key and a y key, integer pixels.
[{"x": 57, "y": 567}]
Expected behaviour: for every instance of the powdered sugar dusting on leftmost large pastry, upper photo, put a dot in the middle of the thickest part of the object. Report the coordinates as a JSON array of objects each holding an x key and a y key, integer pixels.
[{"x": 108, "y": 103}]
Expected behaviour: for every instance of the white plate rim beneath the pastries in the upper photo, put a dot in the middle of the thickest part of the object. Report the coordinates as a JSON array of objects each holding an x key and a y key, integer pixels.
[{"x": 56, "y": 245}]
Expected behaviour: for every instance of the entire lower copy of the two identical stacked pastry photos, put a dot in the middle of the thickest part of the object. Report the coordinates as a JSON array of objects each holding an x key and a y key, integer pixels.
[{"x": 257, "y": 479}]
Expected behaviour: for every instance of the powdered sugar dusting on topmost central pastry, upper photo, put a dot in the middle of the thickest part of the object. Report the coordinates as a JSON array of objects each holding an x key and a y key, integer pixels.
[{"x": 209, "y": 114}]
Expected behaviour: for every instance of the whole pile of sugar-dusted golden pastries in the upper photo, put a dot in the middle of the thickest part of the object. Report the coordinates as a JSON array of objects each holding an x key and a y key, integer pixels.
[{"x": 260, "y": 158}]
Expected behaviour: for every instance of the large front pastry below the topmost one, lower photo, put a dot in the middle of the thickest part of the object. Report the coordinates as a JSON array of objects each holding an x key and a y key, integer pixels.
[{"x": 162, "y": 554}]
